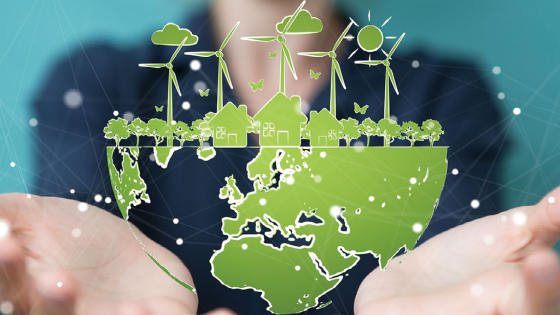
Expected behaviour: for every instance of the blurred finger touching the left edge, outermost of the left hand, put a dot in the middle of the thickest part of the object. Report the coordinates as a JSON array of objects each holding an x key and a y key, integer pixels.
[{"x": 14, "y": 280}]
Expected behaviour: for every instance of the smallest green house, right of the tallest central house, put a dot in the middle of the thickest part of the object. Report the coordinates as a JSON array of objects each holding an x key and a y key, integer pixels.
[{"x": 323, "y": 129}]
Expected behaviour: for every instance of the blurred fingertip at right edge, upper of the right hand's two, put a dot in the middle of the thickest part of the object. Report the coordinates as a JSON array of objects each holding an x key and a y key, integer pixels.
[{"x": 543, "y": 220}]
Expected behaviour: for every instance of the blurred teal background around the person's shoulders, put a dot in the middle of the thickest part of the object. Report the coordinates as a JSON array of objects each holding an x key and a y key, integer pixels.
[{"x": 516, "y": 43}]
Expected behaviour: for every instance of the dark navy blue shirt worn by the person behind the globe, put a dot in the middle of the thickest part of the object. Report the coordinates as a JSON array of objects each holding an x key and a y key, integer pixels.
[{"x": 72, "y": 148}]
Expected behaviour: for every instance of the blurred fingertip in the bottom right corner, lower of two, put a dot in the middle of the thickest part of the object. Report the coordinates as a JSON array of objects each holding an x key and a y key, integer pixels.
[{"x": 542, "y": 281}]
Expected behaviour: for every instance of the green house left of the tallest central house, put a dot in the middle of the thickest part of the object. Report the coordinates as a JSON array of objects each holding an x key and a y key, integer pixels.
[{"x": 229, "y": 126}]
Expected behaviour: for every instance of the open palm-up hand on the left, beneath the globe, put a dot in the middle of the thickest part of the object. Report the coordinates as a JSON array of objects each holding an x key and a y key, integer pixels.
[{"x": 103, "y": 271}]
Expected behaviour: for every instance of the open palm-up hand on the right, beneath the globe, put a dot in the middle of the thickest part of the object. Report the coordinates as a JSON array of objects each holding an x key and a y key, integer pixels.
[{"x": 500, "y": 264}]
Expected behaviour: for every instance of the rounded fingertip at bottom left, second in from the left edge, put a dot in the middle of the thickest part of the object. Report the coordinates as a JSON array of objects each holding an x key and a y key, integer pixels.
[{"x": 57, "y": 294}]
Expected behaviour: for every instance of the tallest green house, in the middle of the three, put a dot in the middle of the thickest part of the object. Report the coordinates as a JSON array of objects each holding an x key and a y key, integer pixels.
[{"x": 280, "y": 122}]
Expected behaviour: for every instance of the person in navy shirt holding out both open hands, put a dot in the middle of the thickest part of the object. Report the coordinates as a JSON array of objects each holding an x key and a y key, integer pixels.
[{"x": 101, "y": 80}]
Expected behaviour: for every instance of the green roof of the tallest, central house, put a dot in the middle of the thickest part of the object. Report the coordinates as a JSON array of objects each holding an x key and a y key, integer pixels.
[{"x": 281, "y": 108}]
